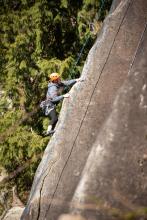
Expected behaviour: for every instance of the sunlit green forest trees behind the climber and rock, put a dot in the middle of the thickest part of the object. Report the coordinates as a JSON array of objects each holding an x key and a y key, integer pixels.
[{"x": 37, "y": 37}]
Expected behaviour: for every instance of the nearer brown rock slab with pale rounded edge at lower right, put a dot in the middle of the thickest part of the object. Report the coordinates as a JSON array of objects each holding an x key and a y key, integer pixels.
[{"x": 115, "y": 172}]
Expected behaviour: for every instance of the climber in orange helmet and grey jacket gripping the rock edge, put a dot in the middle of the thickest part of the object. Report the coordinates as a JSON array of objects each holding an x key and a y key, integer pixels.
[{"x": 53, "y": 96}]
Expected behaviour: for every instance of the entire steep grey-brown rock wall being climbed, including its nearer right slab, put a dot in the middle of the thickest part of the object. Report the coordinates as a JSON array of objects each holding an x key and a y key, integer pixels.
[{"x": 96, "y": 160}]
